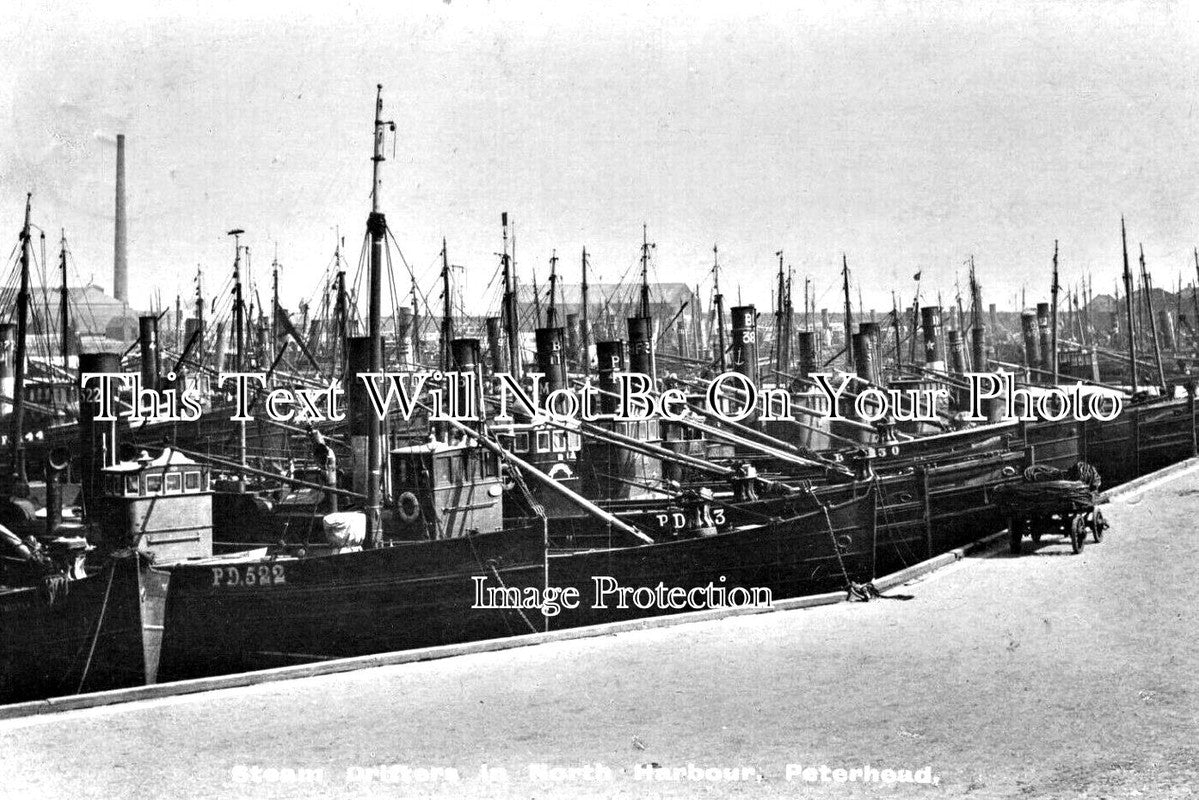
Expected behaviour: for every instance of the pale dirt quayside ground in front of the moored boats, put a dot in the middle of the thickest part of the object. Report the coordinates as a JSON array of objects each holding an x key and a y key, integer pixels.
[{"x": 1049, "y": 676}]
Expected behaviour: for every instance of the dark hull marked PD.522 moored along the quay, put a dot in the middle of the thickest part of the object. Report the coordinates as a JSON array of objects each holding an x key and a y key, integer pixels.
[{"x": 400, "y": 598}]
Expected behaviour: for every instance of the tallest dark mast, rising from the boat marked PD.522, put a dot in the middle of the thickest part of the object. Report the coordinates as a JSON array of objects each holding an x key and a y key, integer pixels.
[{"x": 377, "y": 228}]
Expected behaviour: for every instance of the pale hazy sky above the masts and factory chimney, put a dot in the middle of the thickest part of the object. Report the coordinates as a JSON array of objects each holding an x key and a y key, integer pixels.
[{"x": 909, "y": 137}]
